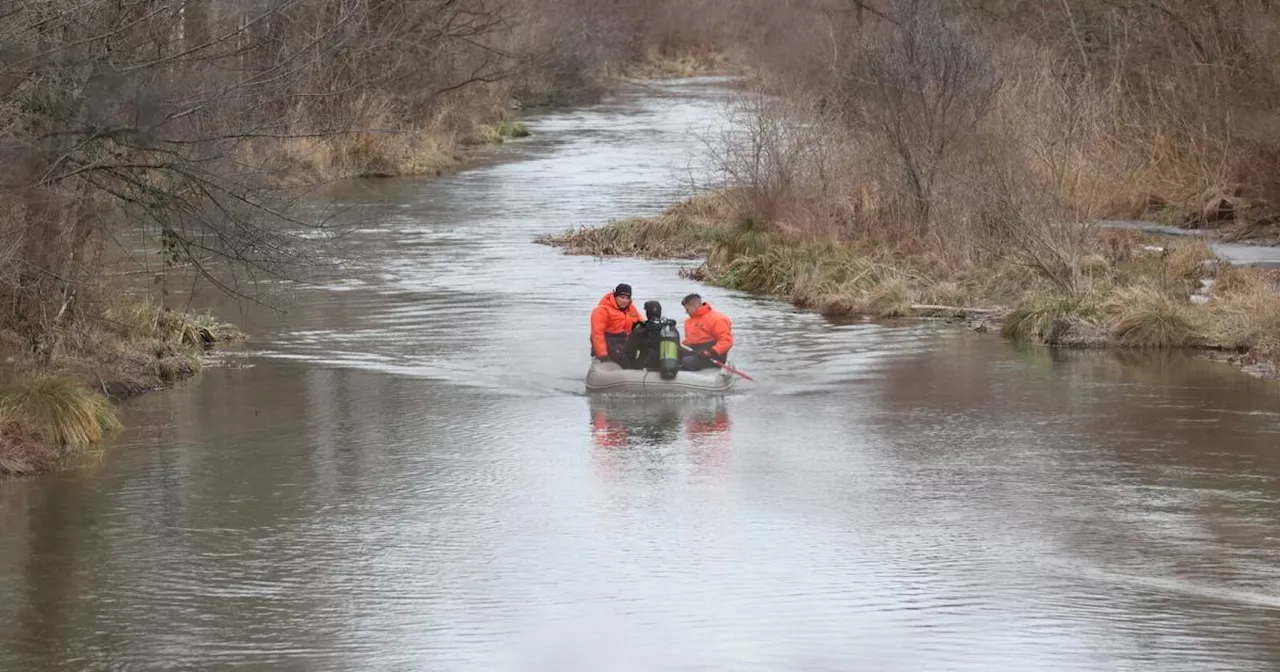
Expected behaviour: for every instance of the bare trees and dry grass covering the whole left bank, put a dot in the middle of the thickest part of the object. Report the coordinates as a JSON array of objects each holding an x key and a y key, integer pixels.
[{"x": 191, "y": 132}]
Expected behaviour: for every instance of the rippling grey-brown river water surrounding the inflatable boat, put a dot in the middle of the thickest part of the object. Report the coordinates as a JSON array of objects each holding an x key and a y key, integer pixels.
[{"x": 405, "y": 474}]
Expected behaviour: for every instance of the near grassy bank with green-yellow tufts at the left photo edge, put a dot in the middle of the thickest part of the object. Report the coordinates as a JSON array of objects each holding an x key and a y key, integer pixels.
[{"x": 58, "y": 396}]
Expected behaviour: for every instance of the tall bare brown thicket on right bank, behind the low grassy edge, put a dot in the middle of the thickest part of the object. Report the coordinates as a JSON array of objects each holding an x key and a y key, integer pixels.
[{"x": 1043, "y": 131}]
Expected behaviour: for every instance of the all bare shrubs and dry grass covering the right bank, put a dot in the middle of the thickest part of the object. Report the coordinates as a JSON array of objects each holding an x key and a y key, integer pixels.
[{"x": 918, "y": 158}]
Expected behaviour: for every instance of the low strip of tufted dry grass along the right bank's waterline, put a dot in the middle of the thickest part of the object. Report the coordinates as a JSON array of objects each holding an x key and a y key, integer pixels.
[{"x": 1116, "y": 290}]
